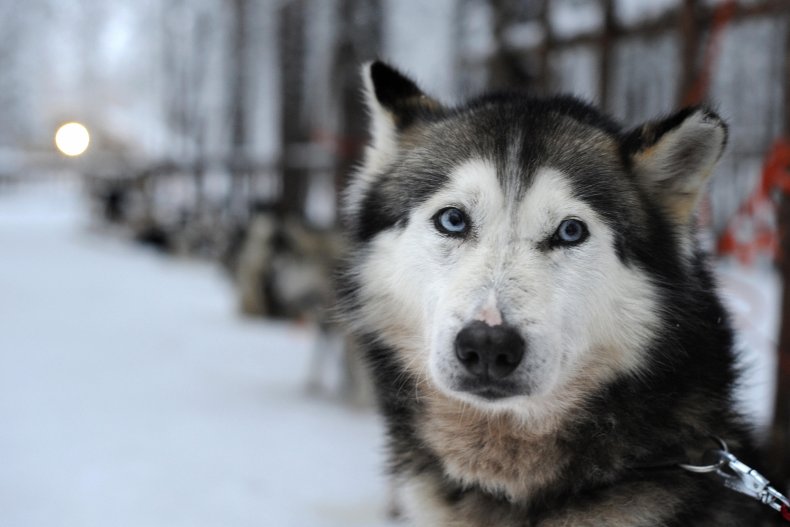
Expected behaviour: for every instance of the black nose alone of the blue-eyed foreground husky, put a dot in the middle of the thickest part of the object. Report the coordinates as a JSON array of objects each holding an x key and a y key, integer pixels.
[{"x": 492, "y": 352}]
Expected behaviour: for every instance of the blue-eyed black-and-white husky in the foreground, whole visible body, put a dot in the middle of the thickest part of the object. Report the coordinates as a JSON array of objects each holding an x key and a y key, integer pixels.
[{"x": 545, "y": 336}]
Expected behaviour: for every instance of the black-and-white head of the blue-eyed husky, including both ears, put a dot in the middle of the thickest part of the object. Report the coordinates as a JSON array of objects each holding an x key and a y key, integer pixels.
[{"x": 503, "y": 245}]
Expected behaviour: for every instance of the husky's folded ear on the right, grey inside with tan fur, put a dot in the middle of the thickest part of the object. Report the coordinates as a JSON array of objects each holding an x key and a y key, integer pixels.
[{"x": 674, "y": 157}]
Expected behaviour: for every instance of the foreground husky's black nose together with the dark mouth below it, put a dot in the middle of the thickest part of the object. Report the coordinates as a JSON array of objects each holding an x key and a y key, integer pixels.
[{"x": 489, "y": 354}]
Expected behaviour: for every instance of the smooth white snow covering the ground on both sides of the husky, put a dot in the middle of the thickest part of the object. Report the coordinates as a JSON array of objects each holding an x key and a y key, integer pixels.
[{"x": 131, "y": 394}]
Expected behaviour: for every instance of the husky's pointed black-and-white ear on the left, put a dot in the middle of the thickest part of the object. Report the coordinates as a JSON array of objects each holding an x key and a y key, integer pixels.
[{"x": 395, "y": 102}]
